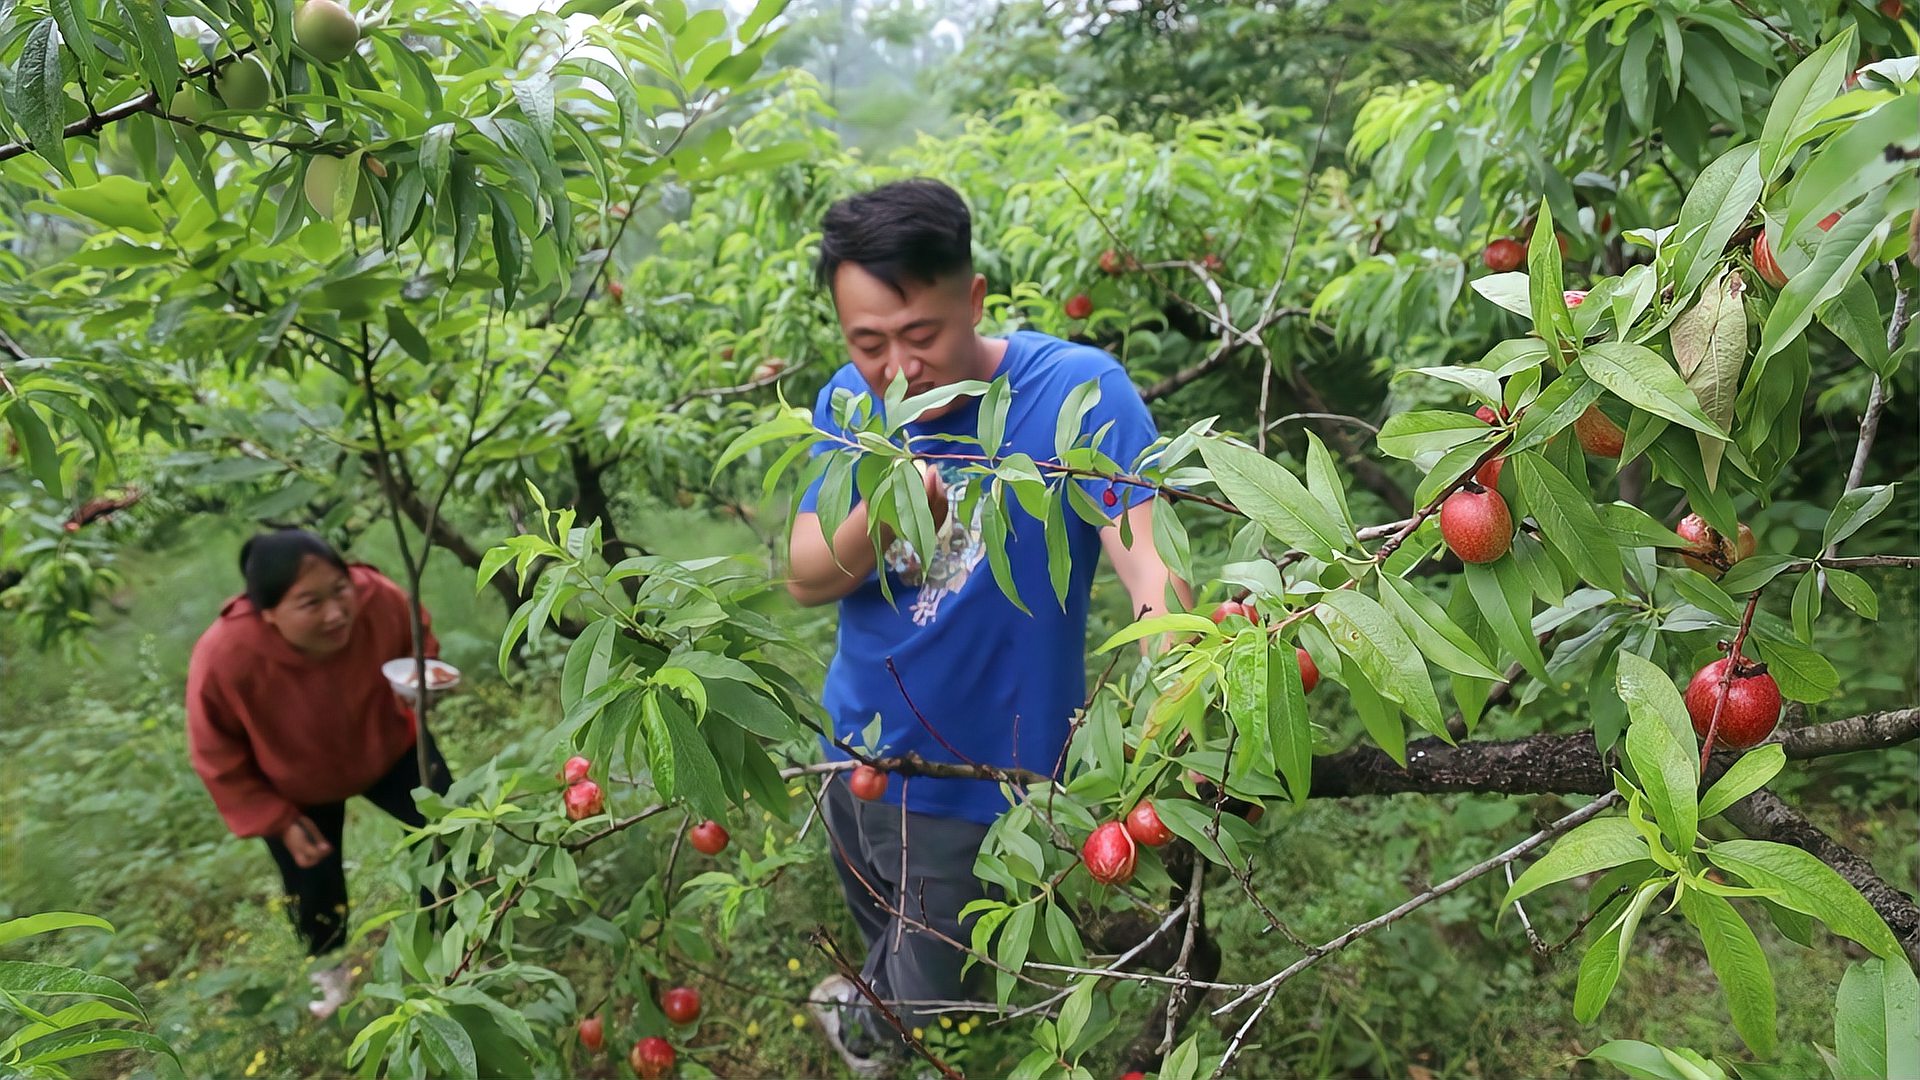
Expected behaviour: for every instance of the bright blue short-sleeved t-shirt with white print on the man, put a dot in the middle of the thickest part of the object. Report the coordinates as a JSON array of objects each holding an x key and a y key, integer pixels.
[{"x": 999, "y": 685}]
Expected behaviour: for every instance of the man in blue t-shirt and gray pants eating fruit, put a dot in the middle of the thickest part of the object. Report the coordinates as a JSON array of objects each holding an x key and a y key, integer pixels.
[{"x": 994, "y": 685}]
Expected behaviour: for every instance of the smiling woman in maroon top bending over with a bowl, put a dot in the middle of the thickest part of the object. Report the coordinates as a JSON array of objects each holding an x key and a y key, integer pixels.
[{"x": 289, "y": 716}]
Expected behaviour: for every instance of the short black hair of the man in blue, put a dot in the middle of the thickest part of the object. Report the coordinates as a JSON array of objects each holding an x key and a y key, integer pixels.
[{"x": 909, "y": 232}]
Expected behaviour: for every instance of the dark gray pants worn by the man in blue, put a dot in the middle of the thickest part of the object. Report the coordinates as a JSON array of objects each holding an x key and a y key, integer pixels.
[{"x": 905, "y": 964}]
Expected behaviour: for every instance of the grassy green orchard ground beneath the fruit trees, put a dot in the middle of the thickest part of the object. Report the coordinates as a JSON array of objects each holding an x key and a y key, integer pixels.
[{"x": 105, "y": 816}]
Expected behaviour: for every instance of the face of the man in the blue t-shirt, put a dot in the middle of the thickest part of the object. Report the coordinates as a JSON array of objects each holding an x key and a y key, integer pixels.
[{"x": 926, "y": 337}]
